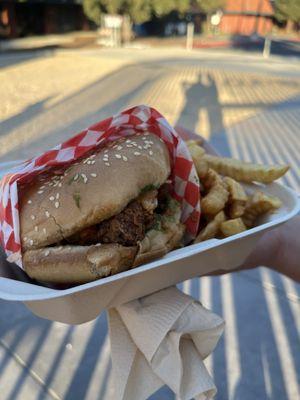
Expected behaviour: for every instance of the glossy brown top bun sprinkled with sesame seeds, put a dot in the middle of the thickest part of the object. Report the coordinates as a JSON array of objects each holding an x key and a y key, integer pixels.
[{"x": 92, "y": 190}]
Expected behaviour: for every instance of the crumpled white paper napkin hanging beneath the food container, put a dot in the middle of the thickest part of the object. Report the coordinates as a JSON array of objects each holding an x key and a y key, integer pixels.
[{"x": 163, "y": 339}]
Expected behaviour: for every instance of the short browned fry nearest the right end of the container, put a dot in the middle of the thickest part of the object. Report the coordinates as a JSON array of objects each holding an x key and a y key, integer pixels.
[{"x": 259, "y": 203}]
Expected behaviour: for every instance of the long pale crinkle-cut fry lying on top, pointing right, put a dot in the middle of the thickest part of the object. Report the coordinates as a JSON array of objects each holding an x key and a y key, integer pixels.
[{"x": 244, "y": 171}]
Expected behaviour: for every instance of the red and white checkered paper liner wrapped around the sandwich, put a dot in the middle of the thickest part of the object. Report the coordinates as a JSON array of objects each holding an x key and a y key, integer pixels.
[{"x": 134, "y": 120}]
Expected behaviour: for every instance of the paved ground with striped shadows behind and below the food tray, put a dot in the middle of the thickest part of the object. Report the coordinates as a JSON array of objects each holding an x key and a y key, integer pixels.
[{"x": 248, "y": 114}]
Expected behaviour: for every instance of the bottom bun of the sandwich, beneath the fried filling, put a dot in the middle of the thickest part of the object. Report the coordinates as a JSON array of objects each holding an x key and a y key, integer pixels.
[{"x": 81, "y": 264}]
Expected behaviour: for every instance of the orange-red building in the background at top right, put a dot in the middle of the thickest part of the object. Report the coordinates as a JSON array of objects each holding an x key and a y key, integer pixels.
[{"x": 246, "y": 17}]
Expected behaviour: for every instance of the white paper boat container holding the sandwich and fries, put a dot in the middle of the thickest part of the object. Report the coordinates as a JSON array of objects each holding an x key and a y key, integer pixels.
[{"x": 83, "y": 303}]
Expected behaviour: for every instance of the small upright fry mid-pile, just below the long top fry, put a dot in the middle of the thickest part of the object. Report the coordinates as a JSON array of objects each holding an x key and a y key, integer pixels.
[{"x": 237, "y": 197}]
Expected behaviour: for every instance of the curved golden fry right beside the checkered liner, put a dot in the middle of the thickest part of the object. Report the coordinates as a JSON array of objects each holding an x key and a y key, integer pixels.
[{"x": 217, "y": 194}]
